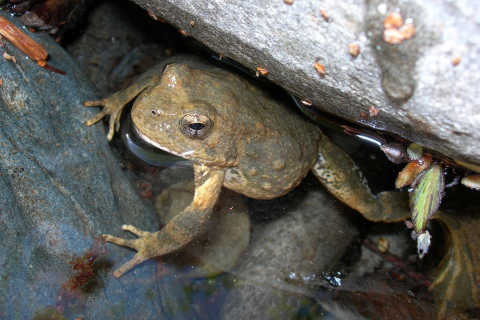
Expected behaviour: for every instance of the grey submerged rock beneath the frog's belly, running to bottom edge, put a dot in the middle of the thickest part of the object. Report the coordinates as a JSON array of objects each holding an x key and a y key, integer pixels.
[{"x": 284, "y": 262}]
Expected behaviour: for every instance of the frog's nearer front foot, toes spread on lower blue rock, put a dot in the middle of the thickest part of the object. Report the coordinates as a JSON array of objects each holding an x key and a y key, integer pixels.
[{"x": 147, "y": 246}]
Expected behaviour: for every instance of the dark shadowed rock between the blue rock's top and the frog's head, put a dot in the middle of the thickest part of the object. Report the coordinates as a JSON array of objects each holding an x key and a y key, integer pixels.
[{"x": 117, "y": 42}]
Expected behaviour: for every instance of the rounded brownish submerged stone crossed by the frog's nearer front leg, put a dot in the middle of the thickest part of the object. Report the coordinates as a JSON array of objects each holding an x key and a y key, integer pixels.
[{"x": 220, "y": 242}]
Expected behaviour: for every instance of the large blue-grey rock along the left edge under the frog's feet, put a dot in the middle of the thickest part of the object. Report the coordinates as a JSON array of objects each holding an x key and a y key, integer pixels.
[{"x": 60, "y": 187}]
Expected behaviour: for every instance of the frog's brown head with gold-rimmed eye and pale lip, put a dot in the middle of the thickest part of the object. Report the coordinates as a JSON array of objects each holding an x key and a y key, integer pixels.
[{"x": 184, "y": 114}]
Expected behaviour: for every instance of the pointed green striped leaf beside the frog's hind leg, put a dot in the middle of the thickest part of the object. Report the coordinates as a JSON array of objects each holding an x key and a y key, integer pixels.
[{"x": 426, "y": 196}]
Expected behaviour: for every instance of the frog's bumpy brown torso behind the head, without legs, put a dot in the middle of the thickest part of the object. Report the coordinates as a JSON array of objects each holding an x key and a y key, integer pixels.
[{"x": 276, "y": 147}]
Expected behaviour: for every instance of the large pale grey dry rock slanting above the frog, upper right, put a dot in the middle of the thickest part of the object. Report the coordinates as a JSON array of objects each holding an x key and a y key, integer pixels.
[{"x": 420, "y": 95}]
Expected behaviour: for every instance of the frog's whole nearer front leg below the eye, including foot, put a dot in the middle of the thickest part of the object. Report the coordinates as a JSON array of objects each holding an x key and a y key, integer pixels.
[{"x": 181, "y": 229}]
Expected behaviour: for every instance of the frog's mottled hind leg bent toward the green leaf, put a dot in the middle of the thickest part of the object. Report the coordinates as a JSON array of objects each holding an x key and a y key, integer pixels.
[{"x": 340, "y": 175}]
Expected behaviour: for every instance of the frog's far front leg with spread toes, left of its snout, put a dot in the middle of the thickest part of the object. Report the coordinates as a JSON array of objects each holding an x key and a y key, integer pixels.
[{"x": 114, "y": 104}]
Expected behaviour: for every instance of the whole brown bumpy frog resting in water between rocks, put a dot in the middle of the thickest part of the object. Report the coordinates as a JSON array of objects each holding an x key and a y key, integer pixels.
[{"x": 238, "y": 136}]
